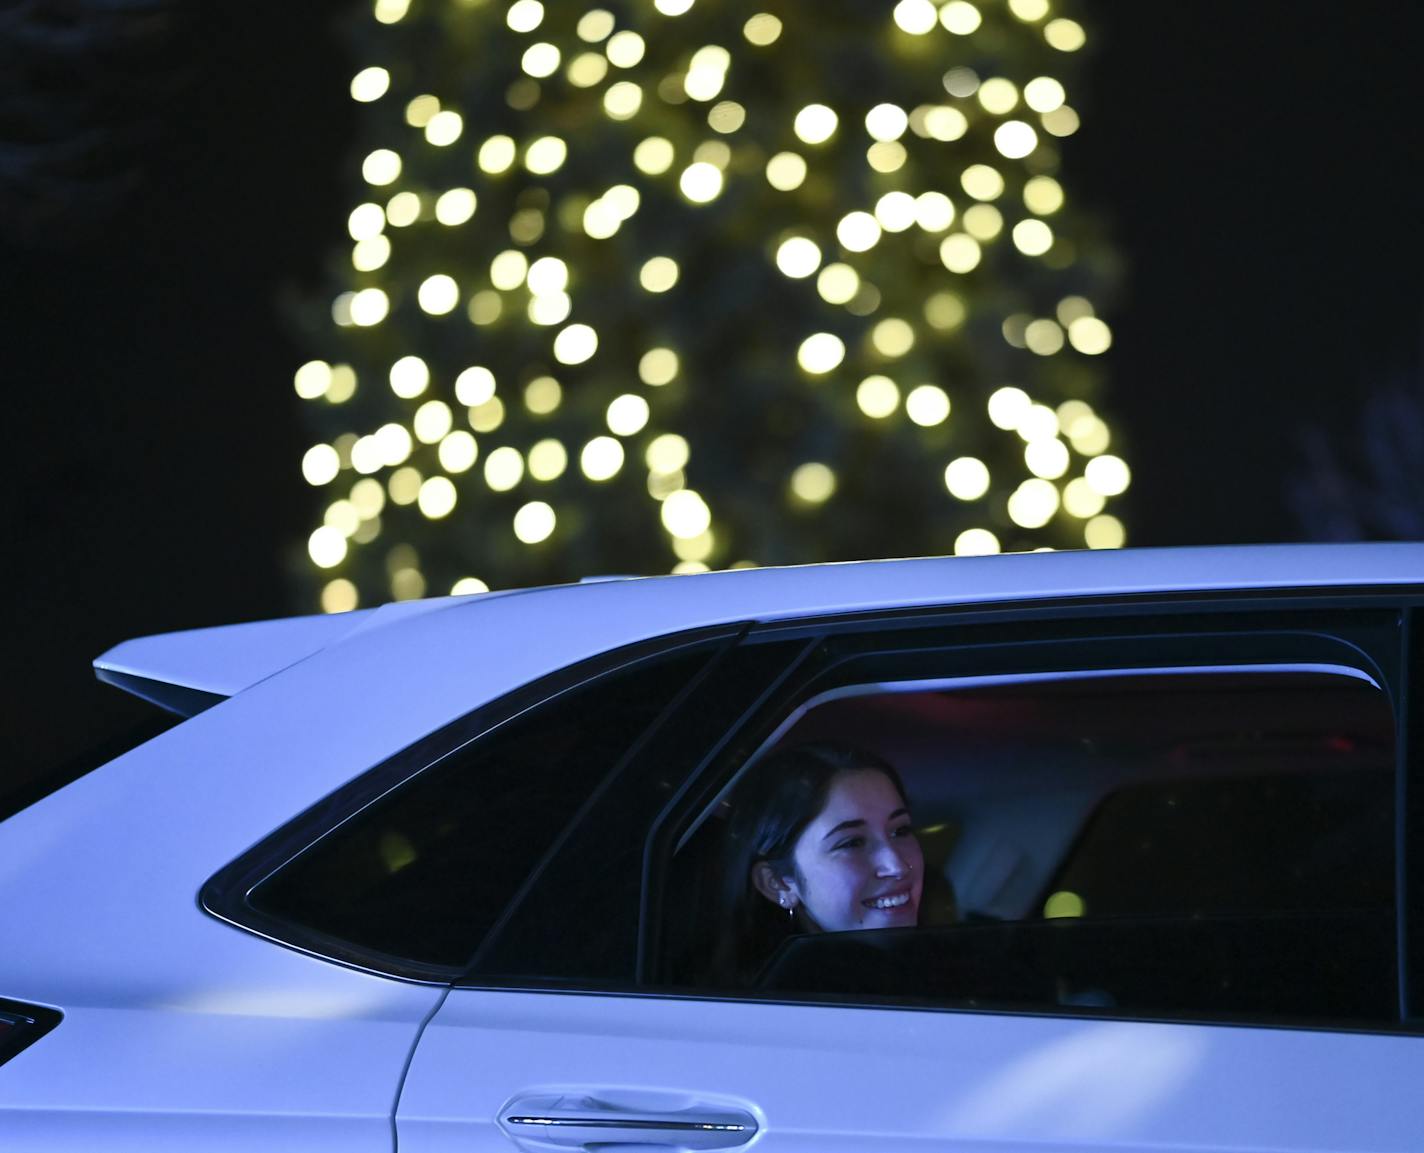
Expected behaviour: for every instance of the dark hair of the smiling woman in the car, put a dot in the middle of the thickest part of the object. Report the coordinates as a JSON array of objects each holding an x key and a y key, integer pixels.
[{"x": 771, "y": 806}]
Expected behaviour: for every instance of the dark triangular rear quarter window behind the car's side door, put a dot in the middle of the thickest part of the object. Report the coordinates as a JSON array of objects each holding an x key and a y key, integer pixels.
[{"x": 424, "y": 873}]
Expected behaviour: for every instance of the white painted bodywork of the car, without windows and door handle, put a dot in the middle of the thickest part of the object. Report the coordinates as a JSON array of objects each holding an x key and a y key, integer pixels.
[{"x": 183, "y": 1031}]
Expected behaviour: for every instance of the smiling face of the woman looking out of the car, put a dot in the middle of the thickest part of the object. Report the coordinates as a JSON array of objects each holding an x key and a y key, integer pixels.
[{"x": 858, "y": 865}]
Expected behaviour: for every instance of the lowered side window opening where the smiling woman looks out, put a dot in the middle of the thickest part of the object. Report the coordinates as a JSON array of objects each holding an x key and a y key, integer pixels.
[{"x": 1211, "y": 845}]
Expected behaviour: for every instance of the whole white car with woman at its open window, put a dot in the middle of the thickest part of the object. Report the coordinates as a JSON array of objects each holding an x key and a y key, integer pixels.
[{"x": 461, "y": 875}]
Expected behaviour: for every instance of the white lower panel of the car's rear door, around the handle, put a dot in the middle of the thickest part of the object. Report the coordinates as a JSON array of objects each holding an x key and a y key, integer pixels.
[{"x": 824, "y": 1080}]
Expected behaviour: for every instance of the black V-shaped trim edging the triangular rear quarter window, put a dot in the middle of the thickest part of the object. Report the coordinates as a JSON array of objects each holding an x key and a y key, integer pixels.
[{"x": 226, "y": 895}]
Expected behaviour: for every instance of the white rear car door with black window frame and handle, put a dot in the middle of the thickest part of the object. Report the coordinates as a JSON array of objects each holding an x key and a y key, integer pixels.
[{"x": 573, "y": 1030}]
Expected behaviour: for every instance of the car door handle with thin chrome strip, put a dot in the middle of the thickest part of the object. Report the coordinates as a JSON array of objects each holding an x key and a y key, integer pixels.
[{"x": 576, "y": 1122}]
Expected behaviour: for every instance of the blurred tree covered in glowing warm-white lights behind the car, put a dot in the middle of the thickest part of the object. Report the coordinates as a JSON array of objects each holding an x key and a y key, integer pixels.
[{"x": 673, "y": 285}]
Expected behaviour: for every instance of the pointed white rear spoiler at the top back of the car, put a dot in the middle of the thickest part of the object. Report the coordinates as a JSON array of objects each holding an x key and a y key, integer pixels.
[{"x": 187, "y": 673}]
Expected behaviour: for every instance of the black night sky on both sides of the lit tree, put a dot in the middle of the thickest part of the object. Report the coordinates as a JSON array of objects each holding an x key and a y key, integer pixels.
[{"x": 1254, "y": 162}]
